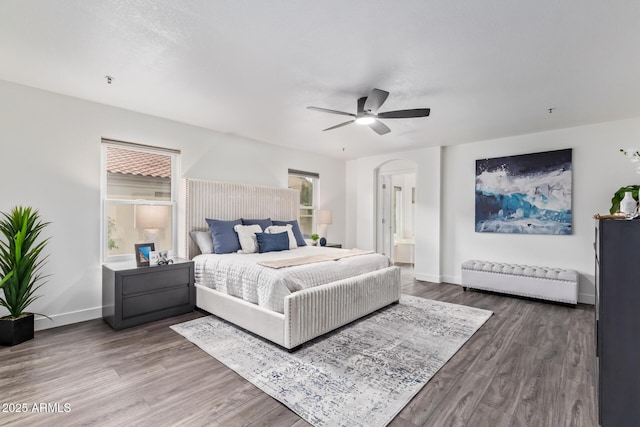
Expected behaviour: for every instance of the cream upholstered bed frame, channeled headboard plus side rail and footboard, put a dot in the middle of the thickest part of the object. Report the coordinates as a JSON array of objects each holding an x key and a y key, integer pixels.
[{"x": 308, "y": 313}]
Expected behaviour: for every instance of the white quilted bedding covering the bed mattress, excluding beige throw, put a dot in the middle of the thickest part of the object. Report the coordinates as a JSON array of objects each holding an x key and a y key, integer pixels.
[{"x": 240, "y": 276}]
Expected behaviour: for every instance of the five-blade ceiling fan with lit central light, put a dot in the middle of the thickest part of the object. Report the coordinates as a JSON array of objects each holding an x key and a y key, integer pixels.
[{"x": 368, "y": 112}]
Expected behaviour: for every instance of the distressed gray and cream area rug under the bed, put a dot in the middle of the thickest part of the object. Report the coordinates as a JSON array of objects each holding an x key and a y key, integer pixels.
[{"x": 362, "y": 374}]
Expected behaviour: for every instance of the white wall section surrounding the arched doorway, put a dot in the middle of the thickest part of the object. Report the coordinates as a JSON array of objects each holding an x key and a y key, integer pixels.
[{"x": 361, "y": 206}]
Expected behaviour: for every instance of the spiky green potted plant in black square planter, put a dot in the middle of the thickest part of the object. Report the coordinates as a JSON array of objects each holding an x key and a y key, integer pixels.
[{"x": 20, "y": 271}]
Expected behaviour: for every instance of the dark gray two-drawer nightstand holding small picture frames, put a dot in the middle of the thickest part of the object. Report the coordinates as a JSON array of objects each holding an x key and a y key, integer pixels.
[{"x": 134, "y": 295}]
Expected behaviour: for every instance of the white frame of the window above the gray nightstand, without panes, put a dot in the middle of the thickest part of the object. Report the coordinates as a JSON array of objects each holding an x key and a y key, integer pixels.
[{"x": 106, "y": 202}]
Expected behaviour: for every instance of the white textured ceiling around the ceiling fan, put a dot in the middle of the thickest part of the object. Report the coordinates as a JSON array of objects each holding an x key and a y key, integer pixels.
[{"x": 487, "y": 69}]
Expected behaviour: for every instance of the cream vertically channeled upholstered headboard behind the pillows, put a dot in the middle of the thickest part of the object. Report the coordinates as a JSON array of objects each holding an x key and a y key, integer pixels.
[{"x": 223, "y": 200}]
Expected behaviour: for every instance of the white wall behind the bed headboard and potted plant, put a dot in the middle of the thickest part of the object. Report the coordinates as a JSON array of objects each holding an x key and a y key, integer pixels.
[{"x": 50, "y": 159}]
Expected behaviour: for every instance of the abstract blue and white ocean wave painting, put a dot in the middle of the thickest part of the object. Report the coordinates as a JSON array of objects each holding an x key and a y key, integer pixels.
[{"x": 526, "y": 194}]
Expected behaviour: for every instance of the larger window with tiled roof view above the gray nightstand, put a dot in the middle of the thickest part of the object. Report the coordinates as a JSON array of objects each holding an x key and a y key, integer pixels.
[{"x": 139, "y": 192}]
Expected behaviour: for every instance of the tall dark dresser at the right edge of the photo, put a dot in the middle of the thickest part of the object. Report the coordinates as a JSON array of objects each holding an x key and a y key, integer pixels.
[{"x": 617, "y": 281}]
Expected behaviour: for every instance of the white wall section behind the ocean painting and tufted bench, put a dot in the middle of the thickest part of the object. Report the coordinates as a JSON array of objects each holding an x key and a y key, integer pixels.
[{"x": 598, "y": 171}]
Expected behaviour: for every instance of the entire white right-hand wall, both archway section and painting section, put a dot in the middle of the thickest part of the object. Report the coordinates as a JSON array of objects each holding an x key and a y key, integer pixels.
[{"x": 445, "y": 232}]
